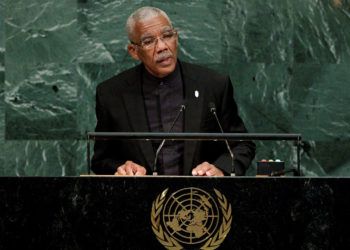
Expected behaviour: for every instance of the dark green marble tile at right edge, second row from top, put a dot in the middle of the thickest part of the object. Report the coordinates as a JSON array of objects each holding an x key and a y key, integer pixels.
[{"x": 320, "y": 101}]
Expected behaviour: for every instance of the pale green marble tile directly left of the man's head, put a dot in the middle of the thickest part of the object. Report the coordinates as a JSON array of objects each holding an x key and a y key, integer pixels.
[{"x": 102, "y": 27}]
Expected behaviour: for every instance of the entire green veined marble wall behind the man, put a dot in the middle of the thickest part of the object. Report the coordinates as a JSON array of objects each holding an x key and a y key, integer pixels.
[{"x": 289, "y": 62}]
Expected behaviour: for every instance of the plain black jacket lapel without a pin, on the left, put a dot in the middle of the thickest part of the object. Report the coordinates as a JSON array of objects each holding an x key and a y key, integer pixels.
[{"x": 136, "y": 111}]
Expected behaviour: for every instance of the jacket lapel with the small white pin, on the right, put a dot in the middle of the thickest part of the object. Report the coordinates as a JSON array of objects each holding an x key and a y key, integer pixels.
[{"x": 194, "y": 96}]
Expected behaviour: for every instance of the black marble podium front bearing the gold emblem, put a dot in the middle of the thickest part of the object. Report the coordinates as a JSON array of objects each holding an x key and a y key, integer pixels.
[{"x": 117, "y": 212}]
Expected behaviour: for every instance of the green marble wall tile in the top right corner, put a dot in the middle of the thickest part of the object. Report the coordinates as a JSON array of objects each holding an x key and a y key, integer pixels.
[{"x": 322, "y": 32}]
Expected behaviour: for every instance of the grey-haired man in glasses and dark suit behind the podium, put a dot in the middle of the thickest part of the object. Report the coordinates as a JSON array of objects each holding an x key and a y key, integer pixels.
[{"x": 150, "y": 98}]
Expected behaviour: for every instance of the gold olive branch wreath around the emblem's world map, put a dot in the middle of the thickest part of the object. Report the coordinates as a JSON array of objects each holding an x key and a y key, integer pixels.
[{"x": 171, "y": 244}]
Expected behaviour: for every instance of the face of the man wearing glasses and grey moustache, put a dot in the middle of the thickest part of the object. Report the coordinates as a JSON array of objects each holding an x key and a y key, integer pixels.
[{"x": 160, "y": 59}]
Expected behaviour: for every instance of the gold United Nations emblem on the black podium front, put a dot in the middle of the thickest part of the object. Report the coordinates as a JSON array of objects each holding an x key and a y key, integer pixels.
[{"x": 191, "y": 218}]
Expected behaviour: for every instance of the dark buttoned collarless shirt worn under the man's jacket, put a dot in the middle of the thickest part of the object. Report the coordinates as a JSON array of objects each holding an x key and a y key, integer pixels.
[{"x": 163, "y": 99}]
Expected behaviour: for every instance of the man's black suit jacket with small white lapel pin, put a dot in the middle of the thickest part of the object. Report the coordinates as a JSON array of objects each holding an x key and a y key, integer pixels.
[{"x": 120, "y": 108}]
